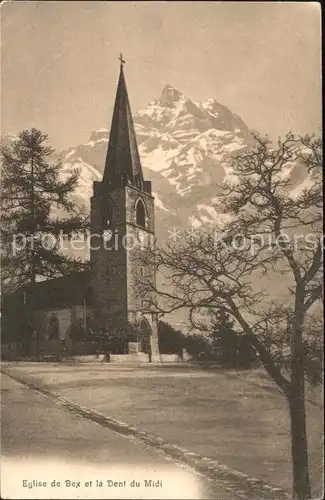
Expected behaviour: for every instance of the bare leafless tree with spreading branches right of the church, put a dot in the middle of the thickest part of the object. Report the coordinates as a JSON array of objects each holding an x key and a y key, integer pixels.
[{"x": 270, "y": 228}]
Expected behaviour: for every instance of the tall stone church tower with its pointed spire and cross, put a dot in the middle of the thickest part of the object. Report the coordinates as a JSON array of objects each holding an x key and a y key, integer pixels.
[{"x": 122, "y": 222}]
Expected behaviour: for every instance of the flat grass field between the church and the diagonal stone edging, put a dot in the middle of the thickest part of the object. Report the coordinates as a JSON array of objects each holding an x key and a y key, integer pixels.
[{"x": 237, "y": 418}]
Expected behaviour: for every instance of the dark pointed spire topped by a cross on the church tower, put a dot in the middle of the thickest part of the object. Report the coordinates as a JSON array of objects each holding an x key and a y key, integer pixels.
[{"x": 122, "y": 160}]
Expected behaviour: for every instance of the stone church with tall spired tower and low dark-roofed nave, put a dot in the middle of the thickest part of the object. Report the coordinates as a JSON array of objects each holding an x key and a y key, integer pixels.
[{"x": 107, "y": 296}]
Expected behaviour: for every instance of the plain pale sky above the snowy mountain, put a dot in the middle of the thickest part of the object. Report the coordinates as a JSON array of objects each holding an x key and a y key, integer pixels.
[{"x": 59, "y": 62}]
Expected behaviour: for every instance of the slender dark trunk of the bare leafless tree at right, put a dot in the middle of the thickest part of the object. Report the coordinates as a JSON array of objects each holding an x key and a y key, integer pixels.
[{"x": 301, "y": 481}]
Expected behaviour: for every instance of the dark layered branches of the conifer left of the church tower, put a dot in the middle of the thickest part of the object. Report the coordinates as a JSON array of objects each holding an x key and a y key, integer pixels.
[{"x": 33, "y": 193}]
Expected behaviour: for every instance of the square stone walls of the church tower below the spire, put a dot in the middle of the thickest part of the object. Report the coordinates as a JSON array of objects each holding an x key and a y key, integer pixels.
[{"x": 115, "y": 266}]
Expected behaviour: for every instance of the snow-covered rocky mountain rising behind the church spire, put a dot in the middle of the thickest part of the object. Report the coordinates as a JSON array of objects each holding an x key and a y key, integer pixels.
[{"x": 185, "y": 147}]
